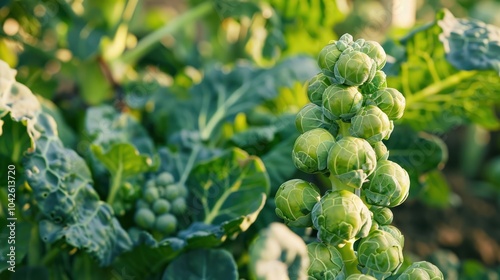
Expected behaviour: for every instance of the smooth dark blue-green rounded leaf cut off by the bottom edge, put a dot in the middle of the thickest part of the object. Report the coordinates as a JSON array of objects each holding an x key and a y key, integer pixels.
[{"x": 203, "y": 264}]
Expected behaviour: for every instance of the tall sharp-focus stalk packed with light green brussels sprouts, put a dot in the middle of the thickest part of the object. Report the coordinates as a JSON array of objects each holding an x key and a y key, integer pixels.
[{"x": 351, "y": 111}]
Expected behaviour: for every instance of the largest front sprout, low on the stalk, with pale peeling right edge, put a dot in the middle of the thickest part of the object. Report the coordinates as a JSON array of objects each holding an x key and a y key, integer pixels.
[{"x": 341, "y": 216}]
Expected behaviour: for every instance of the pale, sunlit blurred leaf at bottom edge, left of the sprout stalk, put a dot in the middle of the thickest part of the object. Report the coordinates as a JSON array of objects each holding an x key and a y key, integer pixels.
[{"x": 278, "y": 253}]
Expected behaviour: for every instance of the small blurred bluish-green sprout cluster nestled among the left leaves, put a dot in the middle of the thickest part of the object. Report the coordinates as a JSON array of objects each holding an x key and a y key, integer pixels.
[{"x": 162, "y": 201}]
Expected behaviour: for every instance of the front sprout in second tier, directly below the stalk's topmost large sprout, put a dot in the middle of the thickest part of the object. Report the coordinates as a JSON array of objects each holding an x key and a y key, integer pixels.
[{"x": 341, "y": 102}]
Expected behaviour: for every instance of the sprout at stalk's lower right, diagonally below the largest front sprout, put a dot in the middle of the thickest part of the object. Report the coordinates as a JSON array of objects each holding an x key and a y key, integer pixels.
[{"x": 379, "y": 254}]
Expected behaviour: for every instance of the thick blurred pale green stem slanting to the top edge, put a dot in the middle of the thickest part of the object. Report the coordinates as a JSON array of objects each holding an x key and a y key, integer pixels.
[{"x": 146, "y": 43}]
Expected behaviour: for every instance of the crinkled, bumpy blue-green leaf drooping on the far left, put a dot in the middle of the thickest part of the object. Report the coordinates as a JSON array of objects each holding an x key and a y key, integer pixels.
[{"x": 62, "y": 187}]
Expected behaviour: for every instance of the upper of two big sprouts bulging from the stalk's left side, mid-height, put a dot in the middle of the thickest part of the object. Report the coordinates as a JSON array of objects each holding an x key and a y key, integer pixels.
[{"x": 310, "y": 150}]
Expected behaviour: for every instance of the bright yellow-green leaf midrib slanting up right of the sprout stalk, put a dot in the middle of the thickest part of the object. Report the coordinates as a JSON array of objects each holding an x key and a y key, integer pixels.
[{"x": 436, "y": 88}]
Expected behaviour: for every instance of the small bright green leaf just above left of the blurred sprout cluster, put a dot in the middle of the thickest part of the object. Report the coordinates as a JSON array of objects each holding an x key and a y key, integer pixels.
[{"x": 124, "y": 159}]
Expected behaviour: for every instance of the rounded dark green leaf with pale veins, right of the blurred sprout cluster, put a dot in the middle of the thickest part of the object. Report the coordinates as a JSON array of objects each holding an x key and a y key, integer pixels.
[{"x": 232, "y": 186}]
